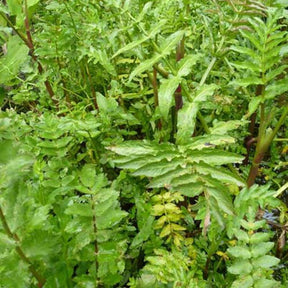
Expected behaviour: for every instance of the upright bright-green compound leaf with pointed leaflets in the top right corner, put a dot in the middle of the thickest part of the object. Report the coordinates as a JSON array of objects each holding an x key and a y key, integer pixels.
[{"x": 263, "y": 47}]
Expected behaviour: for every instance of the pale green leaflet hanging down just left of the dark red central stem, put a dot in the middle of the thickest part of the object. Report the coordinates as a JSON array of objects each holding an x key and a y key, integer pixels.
[{"x": 166, "y": 91}]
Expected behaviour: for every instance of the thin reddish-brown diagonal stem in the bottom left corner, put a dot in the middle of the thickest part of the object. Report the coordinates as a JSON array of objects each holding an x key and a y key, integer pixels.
[{"x": 39, "y": 278}]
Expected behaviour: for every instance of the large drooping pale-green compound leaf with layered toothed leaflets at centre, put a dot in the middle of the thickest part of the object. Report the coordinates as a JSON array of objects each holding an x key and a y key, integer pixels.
[{"x": 192, "y": 169}]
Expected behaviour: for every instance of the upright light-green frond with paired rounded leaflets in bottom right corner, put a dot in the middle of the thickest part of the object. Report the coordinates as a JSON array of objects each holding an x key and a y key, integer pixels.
[{"x": 251, "y": 262}]
